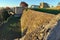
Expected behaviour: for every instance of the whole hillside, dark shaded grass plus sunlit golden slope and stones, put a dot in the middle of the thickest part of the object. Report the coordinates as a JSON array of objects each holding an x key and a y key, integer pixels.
[{"x": 32, "y": 25}]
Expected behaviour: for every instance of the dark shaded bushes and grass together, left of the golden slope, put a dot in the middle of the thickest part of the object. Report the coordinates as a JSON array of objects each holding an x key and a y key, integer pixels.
[{"x": 9, "y": 26}]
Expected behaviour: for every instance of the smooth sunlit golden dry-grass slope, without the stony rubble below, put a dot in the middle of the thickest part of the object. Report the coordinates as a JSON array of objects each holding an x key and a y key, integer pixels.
[{"x": 32, "y": 19}]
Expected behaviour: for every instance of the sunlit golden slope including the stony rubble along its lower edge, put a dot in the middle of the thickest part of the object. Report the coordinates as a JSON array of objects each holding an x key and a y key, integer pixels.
[{"x": 33, "y": 24}]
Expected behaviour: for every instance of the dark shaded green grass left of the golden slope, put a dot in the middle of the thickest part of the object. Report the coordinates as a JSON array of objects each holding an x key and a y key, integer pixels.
[{"x": 10, "y": 28}]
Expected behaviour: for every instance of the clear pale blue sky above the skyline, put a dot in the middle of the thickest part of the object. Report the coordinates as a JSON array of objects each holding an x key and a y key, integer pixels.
[{"x": 12, "y": 3}]
